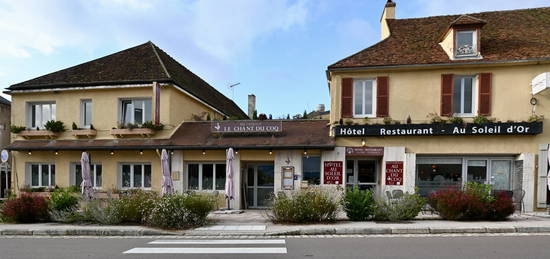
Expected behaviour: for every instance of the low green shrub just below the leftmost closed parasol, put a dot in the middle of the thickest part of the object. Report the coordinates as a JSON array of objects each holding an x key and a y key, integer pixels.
[{"x": 105, "y": 211}]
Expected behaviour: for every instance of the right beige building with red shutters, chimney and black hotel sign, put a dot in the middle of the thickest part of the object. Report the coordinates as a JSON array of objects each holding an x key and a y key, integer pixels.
[{"x": 388, "y": 101}]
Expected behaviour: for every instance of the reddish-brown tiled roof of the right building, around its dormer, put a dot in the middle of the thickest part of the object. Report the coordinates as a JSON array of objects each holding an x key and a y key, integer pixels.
[{"x": 507, "y": 35}]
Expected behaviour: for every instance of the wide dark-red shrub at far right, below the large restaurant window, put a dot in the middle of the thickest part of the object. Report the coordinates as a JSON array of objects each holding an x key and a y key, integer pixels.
[{"x": 475, "y": 202}]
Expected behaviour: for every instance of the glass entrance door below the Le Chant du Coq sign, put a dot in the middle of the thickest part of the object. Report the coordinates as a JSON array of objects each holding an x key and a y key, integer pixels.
[{"x": 260, "y": 184}]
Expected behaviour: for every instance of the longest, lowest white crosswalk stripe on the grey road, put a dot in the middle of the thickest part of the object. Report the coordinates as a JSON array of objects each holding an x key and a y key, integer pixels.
[{"x": 207, "y": 250}]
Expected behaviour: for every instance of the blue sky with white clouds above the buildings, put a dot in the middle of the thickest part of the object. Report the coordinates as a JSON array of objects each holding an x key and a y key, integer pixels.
[{"x": 276, "y": 49}]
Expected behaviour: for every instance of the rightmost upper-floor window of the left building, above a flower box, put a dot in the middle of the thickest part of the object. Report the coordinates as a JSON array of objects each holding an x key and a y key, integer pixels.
[{"x": 135, "y": 111}]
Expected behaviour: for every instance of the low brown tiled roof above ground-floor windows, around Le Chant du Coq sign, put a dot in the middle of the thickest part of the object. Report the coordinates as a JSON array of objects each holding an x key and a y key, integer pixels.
[{"x": 296, "y": 134}]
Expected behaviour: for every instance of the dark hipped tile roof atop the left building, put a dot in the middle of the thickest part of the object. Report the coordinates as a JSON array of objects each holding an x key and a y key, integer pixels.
[{"x": 144, "y": 63}]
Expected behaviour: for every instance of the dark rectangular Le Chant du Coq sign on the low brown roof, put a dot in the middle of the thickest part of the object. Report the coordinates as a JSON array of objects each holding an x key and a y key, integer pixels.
[{"x": 250, "y": 127}]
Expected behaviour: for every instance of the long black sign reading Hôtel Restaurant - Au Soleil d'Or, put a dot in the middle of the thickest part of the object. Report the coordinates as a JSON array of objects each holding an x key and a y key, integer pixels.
[{"x": 504, "y": 128}]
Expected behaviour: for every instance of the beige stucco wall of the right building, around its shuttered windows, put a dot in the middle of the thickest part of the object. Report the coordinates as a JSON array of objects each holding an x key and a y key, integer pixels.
[{"x": 416, "y": 92}]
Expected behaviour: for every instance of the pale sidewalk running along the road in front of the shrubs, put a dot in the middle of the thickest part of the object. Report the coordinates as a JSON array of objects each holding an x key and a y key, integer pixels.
[{"x": 255, "y": 223}]
